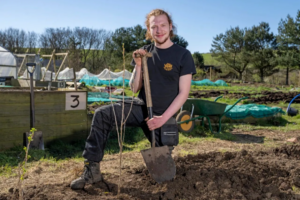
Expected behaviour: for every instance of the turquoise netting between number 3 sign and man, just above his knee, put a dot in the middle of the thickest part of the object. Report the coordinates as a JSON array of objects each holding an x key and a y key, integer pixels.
[{"x": 104, "y": 97}]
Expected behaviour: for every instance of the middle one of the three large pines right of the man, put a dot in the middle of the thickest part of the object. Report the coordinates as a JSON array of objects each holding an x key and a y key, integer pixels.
[{"x": 262, "y": 44}]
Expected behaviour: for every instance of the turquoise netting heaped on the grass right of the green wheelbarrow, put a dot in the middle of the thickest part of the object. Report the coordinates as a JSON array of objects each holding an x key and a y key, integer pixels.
[{"x": 254, "y": 110}]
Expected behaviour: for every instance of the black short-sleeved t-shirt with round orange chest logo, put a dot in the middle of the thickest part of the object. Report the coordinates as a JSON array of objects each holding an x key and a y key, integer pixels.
[{"x": 165, "y": 68}]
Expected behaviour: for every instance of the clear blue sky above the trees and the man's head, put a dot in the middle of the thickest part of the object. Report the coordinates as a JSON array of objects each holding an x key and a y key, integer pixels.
[{"x": 197, "y": 21}]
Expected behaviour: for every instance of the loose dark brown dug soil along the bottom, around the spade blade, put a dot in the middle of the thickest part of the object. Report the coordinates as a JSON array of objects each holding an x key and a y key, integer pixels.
[{"x": 272, "y": 174}]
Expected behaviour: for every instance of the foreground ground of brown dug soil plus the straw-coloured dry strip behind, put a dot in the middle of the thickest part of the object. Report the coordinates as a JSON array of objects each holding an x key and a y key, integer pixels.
[{"x": 243, "y": 169}]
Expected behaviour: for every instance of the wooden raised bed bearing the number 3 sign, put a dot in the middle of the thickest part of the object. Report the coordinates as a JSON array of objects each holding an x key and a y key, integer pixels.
[{"x": 56, "y": 115}]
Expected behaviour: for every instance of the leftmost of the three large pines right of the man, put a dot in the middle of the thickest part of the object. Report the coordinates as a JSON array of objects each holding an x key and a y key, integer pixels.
[{"x": 231, "y": 49}]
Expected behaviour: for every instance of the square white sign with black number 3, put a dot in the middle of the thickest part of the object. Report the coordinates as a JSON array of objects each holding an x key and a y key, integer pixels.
[{"x": 76, "y": 101}]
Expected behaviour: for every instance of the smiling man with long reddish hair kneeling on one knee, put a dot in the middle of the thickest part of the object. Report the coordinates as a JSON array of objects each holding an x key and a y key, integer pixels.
[{"x": 170, "y": 70}]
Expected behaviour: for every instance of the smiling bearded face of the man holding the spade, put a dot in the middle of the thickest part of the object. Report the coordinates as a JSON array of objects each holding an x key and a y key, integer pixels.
[{"x": 160, "y": 28}]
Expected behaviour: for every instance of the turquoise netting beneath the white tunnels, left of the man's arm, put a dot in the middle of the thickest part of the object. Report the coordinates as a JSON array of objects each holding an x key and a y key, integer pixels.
[{"x": 95, "y": 81}]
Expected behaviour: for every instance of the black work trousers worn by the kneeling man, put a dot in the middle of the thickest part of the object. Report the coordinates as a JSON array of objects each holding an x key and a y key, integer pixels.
[{"x": 104, "y": 121}]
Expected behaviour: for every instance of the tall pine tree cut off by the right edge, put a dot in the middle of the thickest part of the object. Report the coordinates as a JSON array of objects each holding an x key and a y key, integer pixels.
[{"x": 288, "y": 54}]
